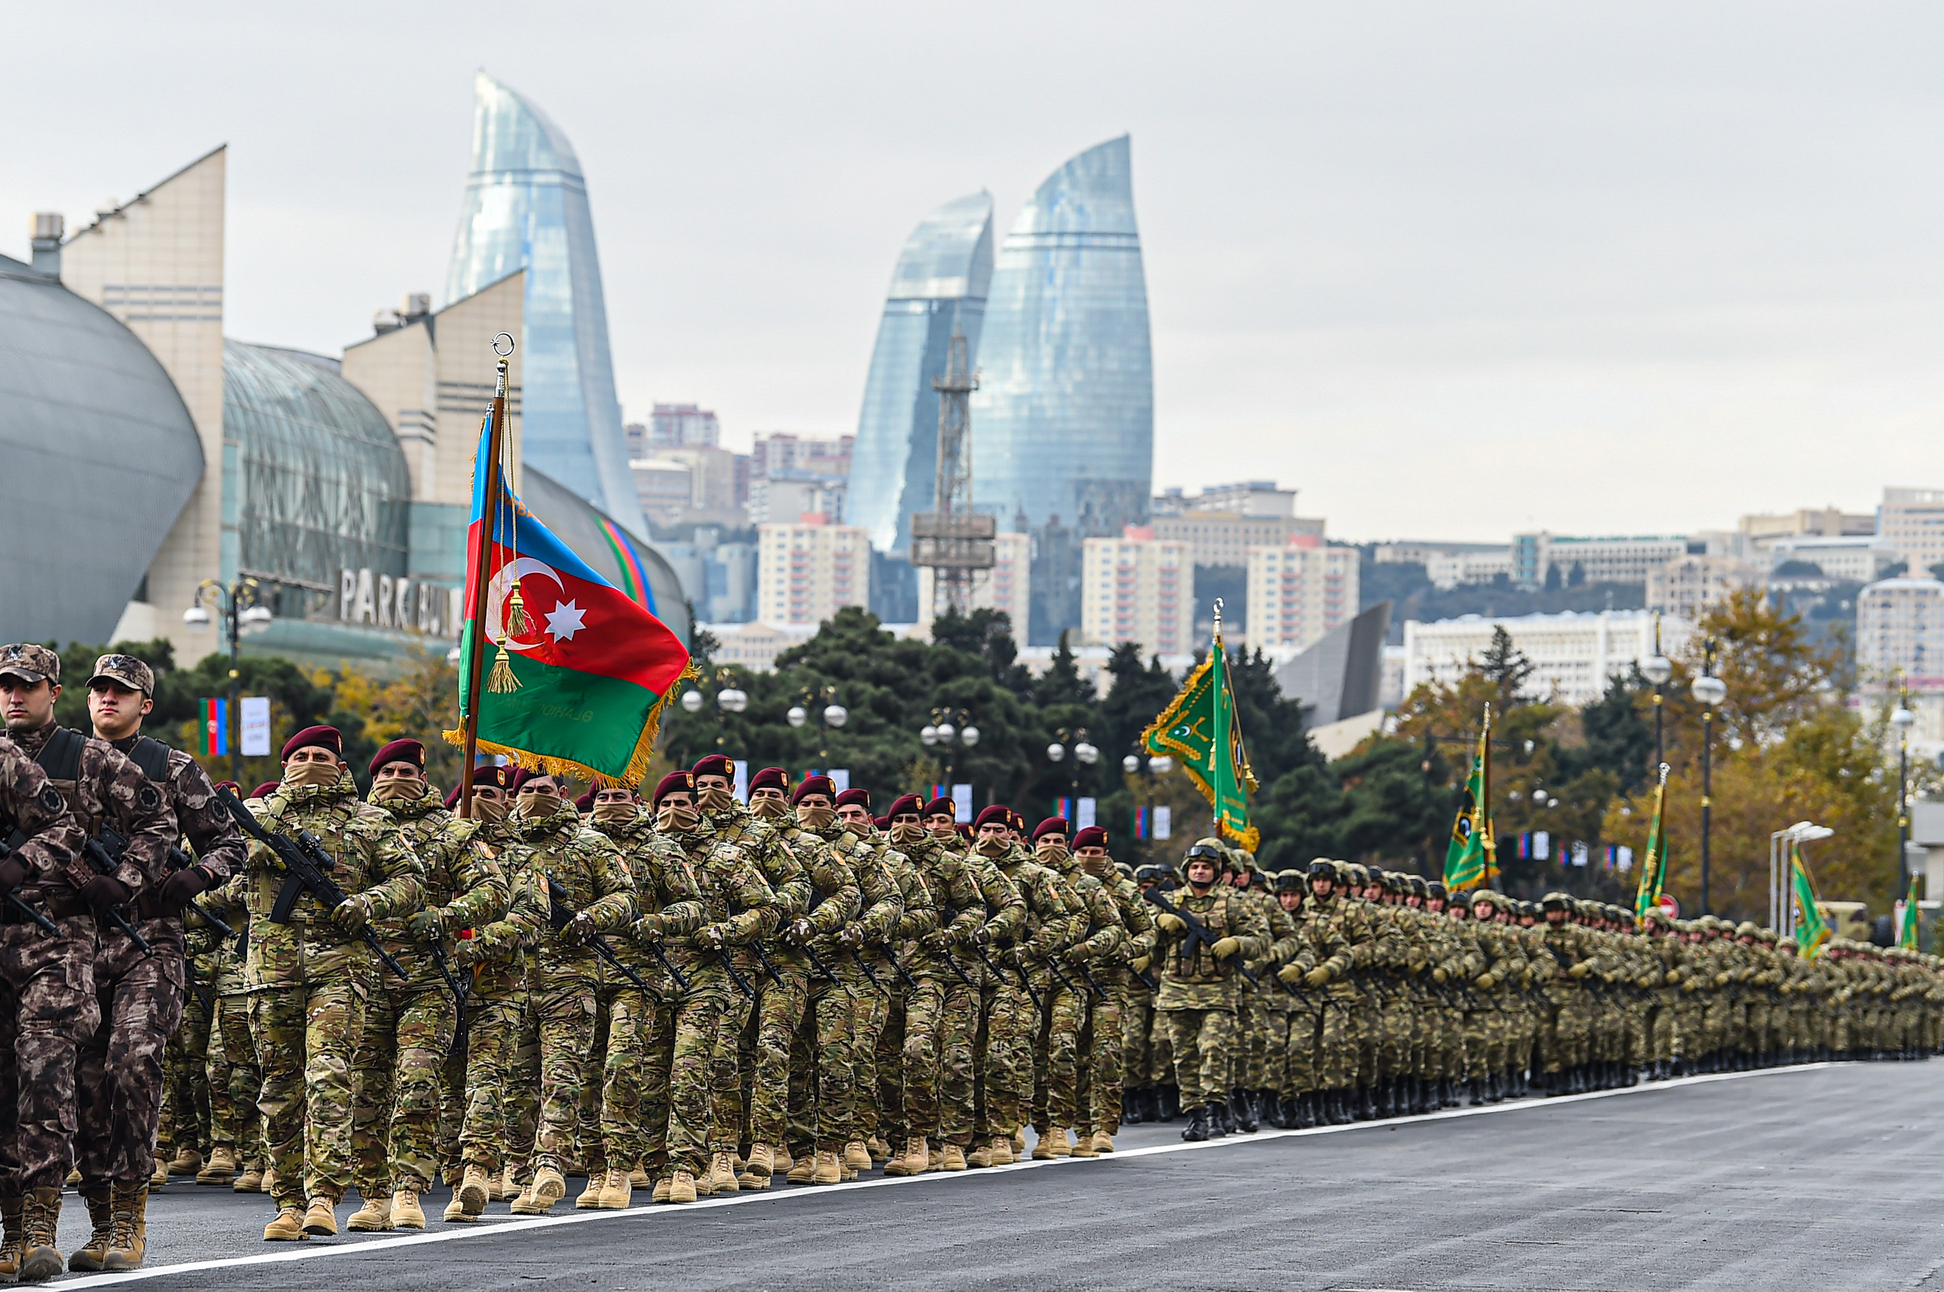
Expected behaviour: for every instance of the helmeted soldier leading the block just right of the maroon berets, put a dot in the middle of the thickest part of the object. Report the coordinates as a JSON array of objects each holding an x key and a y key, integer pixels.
[{"x": 1200, "y": 982}]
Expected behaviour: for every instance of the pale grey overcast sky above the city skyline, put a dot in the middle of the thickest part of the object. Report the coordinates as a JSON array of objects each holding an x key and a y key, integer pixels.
[{"x": 1447, "y": 269}]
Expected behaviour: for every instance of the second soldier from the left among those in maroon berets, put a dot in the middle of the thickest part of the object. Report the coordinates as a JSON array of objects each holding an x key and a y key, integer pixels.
[{"x": 411, "y": 1025}]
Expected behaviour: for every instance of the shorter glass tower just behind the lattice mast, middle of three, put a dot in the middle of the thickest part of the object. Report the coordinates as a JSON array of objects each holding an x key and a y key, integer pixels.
[{"x": 940, "y": 285}]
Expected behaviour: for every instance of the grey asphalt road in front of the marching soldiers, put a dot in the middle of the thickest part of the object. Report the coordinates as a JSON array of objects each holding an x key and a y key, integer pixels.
[{"x": 1799, "y": 1178}]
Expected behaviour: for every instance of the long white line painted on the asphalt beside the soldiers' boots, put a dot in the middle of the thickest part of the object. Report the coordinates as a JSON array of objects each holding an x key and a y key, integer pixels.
[{"x": 316, "y": 1250}]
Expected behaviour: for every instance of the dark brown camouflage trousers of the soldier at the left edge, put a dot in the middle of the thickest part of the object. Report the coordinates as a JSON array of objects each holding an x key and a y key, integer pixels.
[{"x": 48, "y": 1009}]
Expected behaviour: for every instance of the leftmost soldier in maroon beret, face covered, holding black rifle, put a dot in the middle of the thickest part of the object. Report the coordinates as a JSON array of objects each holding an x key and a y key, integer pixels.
[{"x": 310, "y": 980}]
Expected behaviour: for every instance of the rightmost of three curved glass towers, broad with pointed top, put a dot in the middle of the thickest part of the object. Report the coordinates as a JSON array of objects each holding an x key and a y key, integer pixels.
[{"x": 1064, "y": 419}]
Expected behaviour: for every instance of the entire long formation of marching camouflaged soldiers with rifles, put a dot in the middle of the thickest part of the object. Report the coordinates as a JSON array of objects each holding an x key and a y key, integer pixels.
[{"x": 691, "y": 996}]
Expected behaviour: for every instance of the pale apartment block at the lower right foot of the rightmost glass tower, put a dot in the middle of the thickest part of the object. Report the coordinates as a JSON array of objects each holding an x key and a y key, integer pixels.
[{"x": 1142, "y": 590}]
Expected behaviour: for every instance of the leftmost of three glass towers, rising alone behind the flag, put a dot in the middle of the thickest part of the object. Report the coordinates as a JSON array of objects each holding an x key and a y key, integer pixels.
[{"x": 528, "y": 209}]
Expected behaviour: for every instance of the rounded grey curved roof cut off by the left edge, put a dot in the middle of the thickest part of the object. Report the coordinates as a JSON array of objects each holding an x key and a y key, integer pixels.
[{"x": 90, "y": 419}]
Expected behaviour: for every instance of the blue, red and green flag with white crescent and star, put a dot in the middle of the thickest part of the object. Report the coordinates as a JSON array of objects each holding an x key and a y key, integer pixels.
[{"x": 592, "y": 665}]
